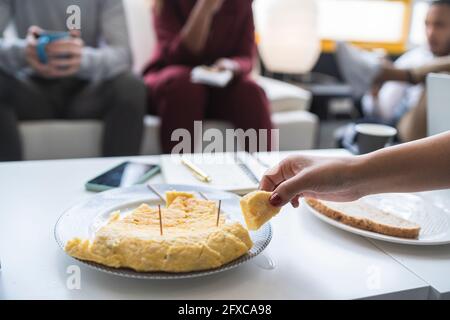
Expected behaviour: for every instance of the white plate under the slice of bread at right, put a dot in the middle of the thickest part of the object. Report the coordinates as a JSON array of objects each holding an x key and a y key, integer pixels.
[{"x": 434, "y": 221}]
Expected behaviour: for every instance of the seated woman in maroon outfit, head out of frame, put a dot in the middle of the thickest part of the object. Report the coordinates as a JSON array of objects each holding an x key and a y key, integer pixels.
[{"x": 218, "y": 33}]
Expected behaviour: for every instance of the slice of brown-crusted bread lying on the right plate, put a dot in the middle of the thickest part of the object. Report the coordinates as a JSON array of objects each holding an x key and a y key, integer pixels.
[{"x": 366, "y": 217}]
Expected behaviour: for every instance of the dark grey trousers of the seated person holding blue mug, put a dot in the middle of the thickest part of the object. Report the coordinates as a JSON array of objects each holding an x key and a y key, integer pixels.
[{"x": 119, "y": 102}]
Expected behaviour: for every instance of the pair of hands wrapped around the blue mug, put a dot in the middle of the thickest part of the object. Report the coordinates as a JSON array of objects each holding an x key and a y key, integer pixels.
[{"x": 64, "y": 55}]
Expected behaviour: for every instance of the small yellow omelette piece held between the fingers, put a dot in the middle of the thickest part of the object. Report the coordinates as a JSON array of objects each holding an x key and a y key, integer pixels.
[{"x": 257, "y": 209}]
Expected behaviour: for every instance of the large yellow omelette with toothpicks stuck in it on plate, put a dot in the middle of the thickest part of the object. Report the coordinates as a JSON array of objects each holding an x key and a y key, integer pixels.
[{"x": 191, "y": 241}]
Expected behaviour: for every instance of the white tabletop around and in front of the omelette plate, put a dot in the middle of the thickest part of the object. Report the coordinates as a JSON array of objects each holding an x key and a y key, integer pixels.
[{"x": 312, "y": 260}]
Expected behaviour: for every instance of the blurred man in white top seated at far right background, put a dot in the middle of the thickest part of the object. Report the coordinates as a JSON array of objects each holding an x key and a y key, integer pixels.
[{"x": 394, "y": 99}]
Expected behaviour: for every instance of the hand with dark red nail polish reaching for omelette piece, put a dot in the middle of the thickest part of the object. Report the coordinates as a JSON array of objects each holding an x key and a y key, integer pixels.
[{"x": 333, "y": 179}]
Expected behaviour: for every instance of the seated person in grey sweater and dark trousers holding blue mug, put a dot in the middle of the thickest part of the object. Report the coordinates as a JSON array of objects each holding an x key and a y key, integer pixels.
[{"x": 88, "y": 76}]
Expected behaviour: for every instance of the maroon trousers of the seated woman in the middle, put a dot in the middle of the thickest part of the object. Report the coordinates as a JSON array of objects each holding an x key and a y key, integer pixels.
[{"x": 179, "y": 103}]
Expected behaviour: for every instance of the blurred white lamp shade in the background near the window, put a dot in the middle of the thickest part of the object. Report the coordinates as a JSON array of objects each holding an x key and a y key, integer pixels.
[{"x": 288, "y": 34}]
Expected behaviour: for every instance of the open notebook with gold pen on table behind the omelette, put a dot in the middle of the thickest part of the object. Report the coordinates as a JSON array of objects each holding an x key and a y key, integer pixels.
[{"x": 239, "y": 173}]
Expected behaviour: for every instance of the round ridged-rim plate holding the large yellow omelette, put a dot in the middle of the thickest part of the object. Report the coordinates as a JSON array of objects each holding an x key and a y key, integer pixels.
[{"x": 84, "y": 219}]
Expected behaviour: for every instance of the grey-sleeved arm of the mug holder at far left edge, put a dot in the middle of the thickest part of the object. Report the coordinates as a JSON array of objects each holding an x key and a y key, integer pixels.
[{"x": 12, "y": 52}]
